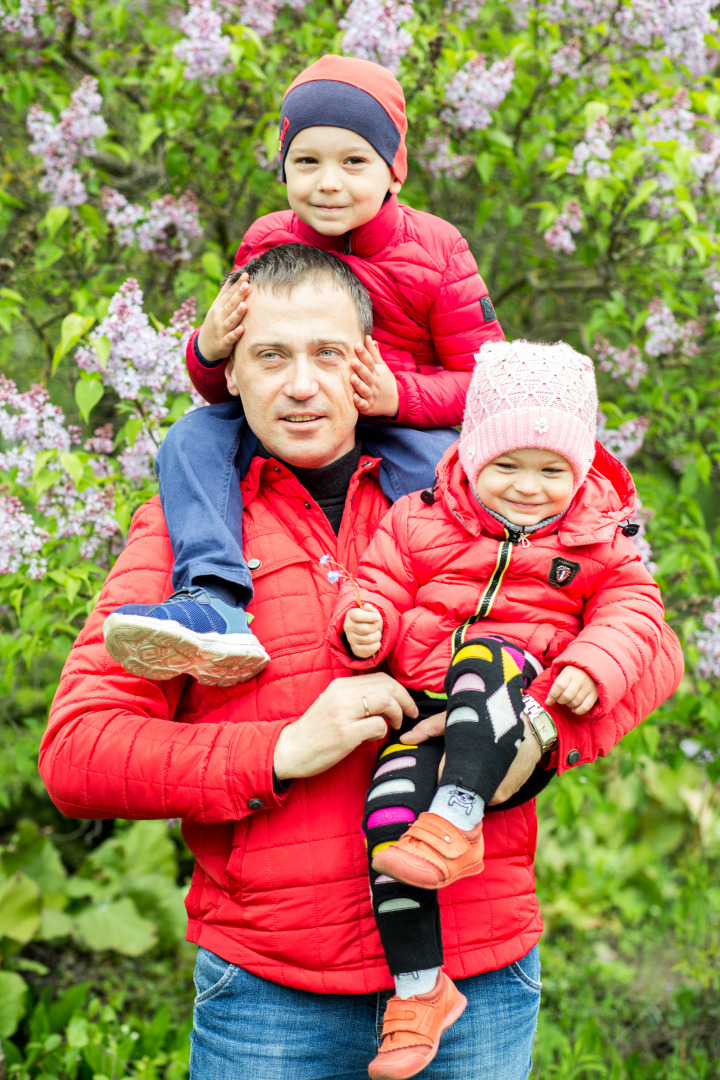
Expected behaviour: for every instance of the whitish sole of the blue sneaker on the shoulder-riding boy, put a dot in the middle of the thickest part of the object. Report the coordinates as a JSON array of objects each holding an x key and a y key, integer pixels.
[{"x": 159, "y": 651}]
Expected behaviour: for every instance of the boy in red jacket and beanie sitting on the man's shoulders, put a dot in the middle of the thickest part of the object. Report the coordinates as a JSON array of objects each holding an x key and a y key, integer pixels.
[{"x": 343, "y": 144}]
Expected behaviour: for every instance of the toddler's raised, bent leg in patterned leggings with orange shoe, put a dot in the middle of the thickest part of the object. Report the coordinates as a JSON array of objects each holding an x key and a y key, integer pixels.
[{"x": 484, "y": 731}]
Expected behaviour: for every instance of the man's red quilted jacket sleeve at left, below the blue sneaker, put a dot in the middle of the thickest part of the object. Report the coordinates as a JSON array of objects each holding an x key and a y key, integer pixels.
[{"x": 113, "y": 748}]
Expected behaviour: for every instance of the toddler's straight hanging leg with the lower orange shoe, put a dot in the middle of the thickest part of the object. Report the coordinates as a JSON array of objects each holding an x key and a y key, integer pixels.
[{"x": 427, "y": 1003}]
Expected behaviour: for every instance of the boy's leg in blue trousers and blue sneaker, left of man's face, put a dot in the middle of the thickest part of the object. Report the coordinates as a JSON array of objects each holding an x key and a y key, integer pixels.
[{"x": 202, "y": 629}]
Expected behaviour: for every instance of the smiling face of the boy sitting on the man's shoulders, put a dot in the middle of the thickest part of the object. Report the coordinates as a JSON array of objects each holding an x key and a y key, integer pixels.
[{"x": 336, "y": 181}]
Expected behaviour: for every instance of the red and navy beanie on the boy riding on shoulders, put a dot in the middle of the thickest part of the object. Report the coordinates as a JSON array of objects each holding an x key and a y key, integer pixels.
[{"x": 346, "y": 92}]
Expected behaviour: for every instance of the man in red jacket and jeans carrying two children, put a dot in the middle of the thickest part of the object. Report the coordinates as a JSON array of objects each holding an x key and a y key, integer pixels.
[{"x": 270, "y": 777}]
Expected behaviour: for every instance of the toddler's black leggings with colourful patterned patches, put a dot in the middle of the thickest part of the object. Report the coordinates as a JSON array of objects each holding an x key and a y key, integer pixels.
[{"x": 484, "y": 687}]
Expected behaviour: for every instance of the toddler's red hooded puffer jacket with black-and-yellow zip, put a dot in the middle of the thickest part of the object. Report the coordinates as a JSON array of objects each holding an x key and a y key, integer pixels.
[{"x": 431, "y": 568}]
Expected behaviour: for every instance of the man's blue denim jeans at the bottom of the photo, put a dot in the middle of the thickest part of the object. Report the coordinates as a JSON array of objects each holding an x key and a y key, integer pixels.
[{"x": 248, "y": 1029}]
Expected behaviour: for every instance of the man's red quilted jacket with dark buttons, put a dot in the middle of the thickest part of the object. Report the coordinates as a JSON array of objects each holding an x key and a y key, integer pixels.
[{"x": 280, "y": 885}]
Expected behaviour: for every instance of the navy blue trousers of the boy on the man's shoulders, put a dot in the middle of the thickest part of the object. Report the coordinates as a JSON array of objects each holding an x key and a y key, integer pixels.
[{"x": 207, "y": 453}]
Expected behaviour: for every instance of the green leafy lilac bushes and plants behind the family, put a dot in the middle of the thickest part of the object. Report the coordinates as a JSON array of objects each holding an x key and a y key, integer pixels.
[{"x": 96, "y": 977}]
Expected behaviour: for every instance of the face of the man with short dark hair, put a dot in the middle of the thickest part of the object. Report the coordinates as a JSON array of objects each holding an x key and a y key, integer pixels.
[{"x": 292, "y": 370}]
